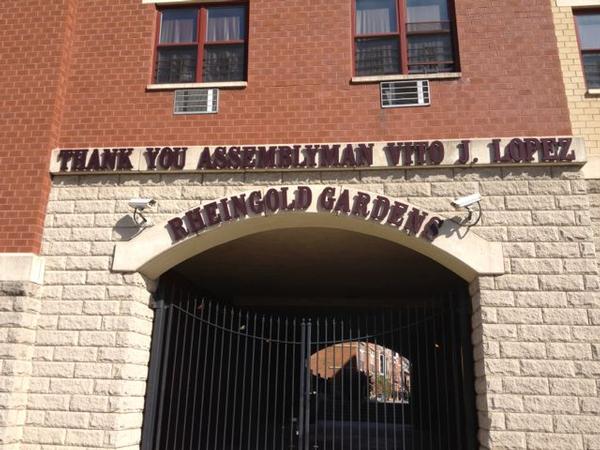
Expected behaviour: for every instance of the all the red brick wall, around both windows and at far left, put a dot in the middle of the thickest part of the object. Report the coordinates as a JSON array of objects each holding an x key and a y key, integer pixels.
[{"x": 298, "y": 88}]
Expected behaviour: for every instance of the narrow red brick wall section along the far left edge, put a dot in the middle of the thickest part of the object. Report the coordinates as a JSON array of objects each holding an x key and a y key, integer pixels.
[{"x": 34, "y": 61}]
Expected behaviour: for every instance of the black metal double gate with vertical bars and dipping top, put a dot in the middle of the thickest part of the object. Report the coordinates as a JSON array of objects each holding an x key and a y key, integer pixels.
[{"x": 231, "y": 378}]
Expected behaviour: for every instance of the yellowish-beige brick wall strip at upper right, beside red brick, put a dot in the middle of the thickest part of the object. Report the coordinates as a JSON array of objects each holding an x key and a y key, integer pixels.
[{"x": 584, "y": 108}]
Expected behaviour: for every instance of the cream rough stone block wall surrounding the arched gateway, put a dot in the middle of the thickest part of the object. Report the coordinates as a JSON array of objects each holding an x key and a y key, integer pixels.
[{"x": 536, "y": 328}]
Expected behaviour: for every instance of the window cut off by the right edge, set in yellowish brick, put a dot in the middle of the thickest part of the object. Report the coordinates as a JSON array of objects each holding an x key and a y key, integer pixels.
[{"x": 588, "y": 28}]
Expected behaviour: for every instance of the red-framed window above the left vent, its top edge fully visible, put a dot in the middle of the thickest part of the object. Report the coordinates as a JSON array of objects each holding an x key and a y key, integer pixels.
[{"x": 201, "y": 44}]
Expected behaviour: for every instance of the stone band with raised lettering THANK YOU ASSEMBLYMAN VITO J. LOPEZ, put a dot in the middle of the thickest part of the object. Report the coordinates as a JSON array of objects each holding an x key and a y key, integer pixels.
[{"x": 362, "y": 155}]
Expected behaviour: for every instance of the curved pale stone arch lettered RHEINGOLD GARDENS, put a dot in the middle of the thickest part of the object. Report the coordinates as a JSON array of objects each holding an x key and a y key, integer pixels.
[{"x": 165, "y": 245}]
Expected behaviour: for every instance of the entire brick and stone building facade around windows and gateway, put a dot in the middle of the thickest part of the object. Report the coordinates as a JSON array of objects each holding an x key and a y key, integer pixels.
[{"x": 79, "y": 276}]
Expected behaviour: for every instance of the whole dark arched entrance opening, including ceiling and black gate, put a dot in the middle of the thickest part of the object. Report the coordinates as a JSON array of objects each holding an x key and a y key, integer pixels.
[{"x": 313, "y": 338}]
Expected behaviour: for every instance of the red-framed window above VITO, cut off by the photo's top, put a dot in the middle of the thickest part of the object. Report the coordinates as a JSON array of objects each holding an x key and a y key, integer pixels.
[{"x": 403, "y": 36}]
